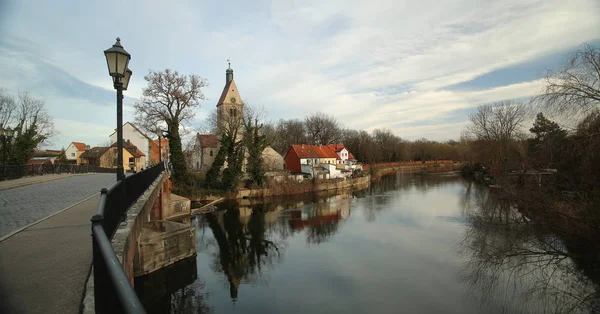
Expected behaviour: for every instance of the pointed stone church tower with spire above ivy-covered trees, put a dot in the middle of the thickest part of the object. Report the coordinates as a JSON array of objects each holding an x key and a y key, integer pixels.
[{"x": 230, "y": 107}]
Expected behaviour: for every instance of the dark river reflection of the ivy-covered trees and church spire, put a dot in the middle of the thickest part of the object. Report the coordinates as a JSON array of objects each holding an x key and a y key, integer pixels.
[{"x": 243, "y": 249}]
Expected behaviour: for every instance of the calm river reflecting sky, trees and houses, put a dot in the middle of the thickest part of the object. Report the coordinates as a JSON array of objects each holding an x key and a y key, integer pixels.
[{"x": 407, "y": 244}]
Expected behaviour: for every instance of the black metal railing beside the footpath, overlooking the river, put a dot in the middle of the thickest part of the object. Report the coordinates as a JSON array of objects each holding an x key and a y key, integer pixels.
[{"x": 112, "y": 291}]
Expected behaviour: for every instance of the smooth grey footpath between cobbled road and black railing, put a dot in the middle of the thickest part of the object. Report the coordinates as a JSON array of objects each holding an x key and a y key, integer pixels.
[{"x": 43, "y": 269}]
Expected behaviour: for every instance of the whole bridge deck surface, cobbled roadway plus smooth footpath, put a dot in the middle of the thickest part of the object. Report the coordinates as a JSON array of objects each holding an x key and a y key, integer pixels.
[{"x": 44, "y": 267}]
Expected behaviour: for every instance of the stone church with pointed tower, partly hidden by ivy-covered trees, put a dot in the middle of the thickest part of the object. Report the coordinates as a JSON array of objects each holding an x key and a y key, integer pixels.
[{"x": 230, "y": 109}]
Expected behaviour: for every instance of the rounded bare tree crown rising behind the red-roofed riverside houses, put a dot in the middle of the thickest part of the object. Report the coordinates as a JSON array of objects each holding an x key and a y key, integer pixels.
[{"x": 322, "y": 129}]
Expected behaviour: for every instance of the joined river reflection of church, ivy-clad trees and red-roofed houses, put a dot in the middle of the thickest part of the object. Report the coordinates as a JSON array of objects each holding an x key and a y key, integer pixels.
[{"x": 250, "y": 236}]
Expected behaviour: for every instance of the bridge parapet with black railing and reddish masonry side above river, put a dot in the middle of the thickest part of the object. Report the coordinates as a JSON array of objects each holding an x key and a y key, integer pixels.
[{"x": 122, "y": 212}]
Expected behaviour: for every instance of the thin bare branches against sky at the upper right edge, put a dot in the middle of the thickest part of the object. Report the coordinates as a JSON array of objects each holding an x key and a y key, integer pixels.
[{"x": 575, "y": 89}]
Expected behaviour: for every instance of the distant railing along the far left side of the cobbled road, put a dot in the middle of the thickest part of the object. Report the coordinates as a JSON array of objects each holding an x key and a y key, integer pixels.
[{"x": 10, "y": 172}]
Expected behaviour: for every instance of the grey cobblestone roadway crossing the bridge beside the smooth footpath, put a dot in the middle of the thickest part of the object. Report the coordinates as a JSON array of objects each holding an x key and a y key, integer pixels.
[{"x": 24, "y": 205}]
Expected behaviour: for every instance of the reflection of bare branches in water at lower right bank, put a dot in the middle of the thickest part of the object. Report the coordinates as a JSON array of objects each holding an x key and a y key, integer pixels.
[{"x": 512, "y": 259}]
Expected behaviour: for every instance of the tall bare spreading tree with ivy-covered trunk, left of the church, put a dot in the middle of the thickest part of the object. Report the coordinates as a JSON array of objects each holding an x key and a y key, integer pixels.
[{"x": 169, "y": 100}]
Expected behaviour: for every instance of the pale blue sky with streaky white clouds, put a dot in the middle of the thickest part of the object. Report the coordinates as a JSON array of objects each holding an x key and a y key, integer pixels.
[{"x": 417, "y": 68}]
